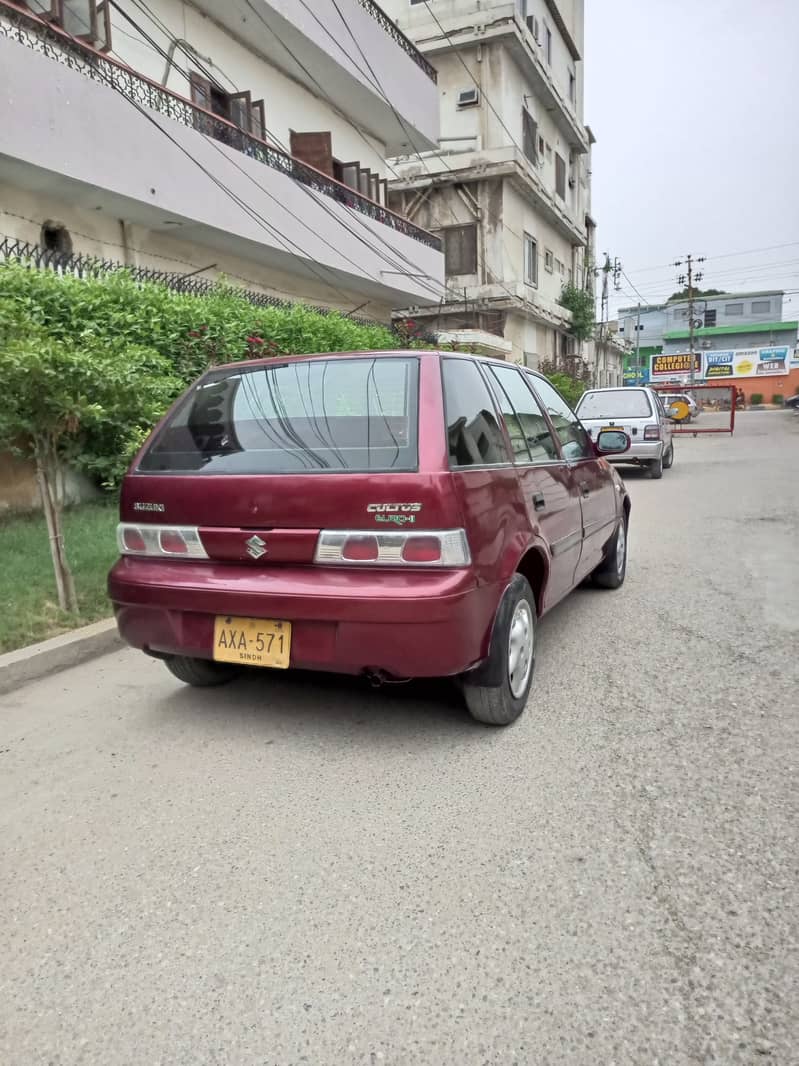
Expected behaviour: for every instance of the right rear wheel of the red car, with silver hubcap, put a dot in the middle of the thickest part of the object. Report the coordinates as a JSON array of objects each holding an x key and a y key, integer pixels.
[{"x": 513, "y": 640}]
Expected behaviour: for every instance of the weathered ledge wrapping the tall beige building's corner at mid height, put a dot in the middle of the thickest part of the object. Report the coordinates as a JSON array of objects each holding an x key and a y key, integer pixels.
[{"x": 483, "y": 165}]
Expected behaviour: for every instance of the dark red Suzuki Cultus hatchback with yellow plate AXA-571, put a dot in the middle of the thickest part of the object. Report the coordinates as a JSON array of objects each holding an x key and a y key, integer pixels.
[{"x": 395, "y": 514}]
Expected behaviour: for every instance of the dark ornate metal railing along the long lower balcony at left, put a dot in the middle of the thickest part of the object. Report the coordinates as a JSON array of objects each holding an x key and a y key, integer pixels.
[{"x": 51, "y": 41}]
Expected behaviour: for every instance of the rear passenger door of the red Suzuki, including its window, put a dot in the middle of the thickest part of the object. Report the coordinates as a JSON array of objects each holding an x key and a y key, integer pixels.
[{"x": 548, "y": 487}]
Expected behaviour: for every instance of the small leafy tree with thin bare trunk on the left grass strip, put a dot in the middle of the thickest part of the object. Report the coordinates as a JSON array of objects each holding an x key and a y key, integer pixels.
[{"x": 58, "y": 394}]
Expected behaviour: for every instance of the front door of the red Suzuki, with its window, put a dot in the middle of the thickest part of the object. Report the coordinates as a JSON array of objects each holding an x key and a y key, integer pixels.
[{"x": 595, "y": 480}]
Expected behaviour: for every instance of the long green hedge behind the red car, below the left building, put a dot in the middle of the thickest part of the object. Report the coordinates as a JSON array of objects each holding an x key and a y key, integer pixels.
[{"x": 113, "y": 315}]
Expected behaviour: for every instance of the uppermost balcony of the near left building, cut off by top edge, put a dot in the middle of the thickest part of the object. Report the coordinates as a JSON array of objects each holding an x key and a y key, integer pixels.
[{"x": 369, "y": 70}]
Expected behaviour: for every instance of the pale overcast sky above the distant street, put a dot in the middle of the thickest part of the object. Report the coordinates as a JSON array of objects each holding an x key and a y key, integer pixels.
[{"x": 695, "y": 106}]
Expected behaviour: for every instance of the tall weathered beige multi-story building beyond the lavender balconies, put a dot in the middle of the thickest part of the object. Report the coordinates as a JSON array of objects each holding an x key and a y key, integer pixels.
[{"x": 509, "y": 189}]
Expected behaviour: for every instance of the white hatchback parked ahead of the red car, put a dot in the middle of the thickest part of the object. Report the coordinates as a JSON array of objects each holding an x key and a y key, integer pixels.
[{"x": 642, "y": 415}]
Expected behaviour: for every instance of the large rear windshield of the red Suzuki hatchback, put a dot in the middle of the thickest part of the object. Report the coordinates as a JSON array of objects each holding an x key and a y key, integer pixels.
[{"x": 295, "y": 418}]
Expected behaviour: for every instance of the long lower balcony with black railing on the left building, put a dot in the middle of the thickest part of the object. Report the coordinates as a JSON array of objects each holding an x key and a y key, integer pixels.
[{"x": 90, "y": 132}]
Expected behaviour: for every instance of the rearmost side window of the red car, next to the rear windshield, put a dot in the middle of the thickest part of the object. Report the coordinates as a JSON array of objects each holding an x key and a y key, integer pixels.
[{"x": 474, "y": 433}]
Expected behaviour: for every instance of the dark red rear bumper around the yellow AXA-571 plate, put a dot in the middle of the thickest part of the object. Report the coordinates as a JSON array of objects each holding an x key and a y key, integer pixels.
[{"x": 421, "y": 624}]
